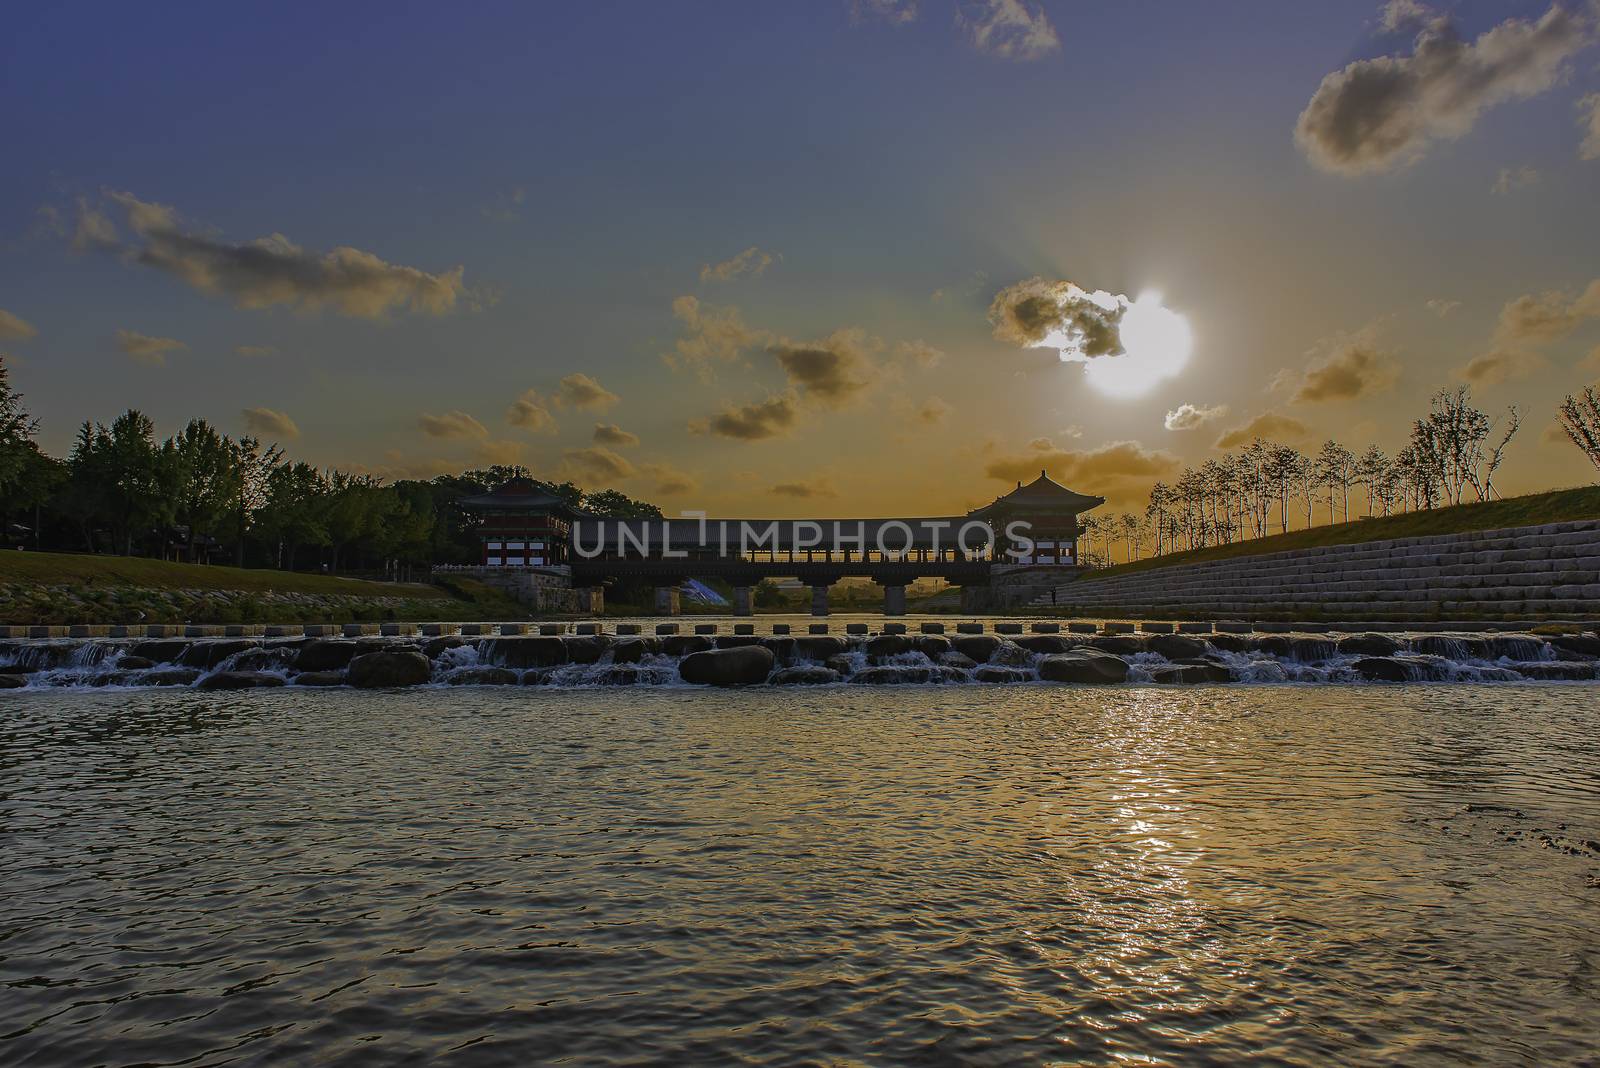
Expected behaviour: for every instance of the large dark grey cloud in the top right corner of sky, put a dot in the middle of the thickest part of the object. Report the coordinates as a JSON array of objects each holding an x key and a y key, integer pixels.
[{"x": 1380, "y": 114}]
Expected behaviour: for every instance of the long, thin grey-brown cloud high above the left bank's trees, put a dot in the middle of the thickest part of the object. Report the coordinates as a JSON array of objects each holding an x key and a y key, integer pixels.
[{"x": 270, "y": 271}]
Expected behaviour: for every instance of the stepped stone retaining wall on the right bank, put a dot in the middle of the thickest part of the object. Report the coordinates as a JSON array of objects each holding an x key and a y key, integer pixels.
[{"x": 1521, "y": 573}]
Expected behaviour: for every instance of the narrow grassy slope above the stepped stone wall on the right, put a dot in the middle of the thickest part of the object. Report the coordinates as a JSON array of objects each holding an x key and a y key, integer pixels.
[{"x": 1543, "y": 508}]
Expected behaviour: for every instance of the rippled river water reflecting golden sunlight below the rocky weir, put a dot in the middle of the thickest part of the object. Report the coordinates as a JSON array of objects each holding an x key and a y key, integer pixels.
[{"x": 839, "y": 875}]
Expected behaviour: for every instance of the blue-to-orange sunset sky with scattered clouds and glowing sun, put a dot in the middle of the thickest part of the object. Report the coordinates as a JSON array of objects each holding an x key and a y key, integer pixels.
[{"x": 846, "y": 260}]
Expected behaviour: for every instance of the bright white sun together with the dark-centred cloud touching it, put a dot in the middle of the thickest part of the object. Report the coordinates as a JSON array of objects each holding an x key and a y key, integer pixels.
[{"x": 1127, "y": 346}]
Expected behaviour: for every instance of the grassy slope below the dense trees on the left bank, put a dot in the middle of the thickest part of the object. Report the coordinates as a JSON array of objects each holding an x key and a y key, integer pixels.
[{"x": 158, "y": 575}]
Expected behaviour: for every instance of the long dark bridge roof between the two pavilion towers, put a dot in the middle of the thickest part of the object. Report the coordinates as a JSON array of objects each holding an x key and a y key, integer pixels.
[{"x": 764, "y": 535}]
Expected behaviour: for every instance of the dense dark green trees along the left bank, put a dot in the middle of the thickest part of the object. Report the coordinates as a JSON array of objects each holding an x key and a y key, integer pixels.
[{"x": 206, "y": 496}]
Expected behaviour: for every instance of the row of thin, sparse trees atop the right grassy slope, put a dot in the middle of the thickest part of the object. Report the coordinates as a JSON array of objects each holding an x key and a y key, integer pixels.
[{"x": 1270, "y": 488}]
